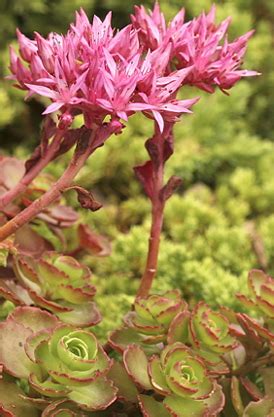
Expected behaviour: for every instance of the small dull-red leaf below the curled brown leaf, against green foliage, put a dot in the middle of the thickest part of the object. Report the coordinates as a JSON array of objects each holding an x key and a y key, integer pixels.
[{"x": 92, "y": 242}]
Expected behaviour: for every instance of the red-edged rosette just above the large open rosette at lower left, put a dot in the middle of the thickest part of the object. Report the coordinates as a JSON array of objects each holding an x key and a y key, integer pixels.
[{"x": 58, "y": 283}]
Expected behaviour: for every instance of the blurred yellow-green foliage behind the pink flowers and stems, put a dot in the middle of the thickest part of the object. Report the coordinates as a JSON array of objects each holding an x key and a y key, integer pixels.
[{"x": 221, "y": 222}]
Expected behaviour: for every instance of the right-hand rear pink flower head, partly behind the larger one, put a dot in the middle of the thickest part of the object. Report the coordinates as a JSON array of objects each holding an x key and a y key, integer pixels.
[{"x": 199, "y": 43}]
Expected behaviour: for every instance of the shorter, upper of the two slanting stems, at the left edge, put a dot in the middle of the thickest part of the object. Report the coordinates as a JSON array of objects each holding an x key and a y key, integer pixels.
[{"x": 24, "y": 182}]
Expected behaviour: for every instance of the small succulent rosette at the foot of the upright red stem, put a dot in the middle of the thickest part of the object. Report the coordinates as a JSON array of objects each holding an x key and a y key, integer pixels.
[{"x": 149, "y": 322}]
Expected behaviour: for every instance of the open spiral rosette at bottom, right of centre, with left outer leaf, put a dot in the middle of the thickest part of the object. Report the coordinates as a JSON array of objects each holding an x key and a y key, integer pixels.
[{"x": 178, "y": 375}]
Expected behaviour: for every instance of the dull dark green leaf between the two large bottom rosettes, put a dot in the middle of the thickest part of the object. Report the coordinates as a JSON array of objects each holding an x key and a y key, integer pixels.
[{"x": 127, "y": 391}]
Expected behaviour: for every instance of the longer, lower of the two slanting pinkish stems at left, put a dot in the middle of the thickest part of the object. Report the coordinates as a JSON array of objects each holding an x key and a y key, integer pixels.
[{"x": 83, "y": 150}]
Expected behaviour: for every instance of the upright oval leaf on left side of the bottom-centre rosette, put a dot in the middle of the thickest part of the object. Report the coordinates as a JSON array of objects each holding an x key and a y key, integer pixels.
[{"x": 136, "y": 364}]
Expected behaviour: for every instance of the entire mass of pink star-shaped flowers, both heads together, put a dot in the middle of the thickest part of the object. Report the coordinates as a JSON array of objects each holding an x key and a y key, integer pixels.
[{"x": 96, "y": 71}]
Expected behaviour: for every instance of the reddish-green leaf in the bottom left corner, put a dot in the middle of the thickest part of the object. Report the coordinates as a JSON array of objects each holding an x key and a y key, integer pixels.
[{"x": 11, "y": 404}]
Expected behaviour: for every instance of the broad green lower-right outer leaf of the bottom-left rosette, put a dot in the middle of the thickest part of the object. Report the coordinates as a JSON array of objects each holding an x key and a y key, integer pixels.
[{"x": 97, "y": 395}]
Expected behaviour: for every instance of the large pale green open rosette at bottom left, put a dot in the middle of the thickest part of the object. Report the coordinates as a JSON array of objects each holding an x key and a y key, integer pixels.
[{"x": 70, "y": 363}]
